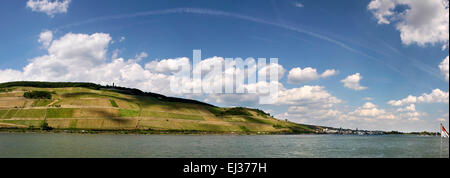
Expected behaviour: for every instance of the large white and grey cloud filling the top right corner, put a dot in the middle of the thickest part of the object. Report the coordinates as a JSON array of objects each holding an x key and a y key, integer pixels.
[{"x": 419, "y": 21}]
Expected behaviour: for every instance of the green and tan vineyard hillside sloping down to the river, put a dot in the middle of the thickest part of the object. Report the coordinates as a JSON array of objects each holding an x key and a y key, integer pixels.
[{"x": 87, "y": 106}]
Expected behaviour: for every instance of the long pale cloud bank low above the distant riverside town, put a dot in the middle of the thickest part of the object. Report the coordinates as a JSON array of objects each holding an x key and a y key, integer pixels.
[{"x": 367, "y": 116}]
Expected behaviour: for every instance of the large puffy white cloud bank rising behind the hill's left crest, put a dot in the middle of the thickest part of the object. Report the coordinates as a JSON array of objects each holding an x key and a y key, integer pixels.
[{"x": 83, "y": 57}]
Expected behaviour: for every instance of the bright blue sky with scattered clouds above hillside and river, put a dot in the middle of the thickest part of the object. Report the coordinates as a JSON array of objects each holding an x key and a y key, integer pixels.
[{"x": 394, "y": 59}]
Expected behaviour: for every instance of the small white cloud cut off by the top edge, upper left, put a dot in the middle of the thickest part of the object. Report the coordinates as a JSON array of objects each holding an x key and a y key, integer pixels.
[{"x": 49, "y": 7}]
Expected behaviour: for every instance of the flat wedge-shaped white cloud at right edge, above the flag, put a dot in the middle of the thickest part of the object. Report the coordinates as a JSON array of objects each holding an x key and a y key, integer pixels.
[{"x": 436, "y": 96}]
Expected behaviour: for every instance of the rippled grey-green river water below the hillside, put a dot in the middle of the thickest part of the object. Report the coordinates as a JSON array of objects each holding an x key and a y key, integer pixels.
[{"x": 213, "y": 146}]
